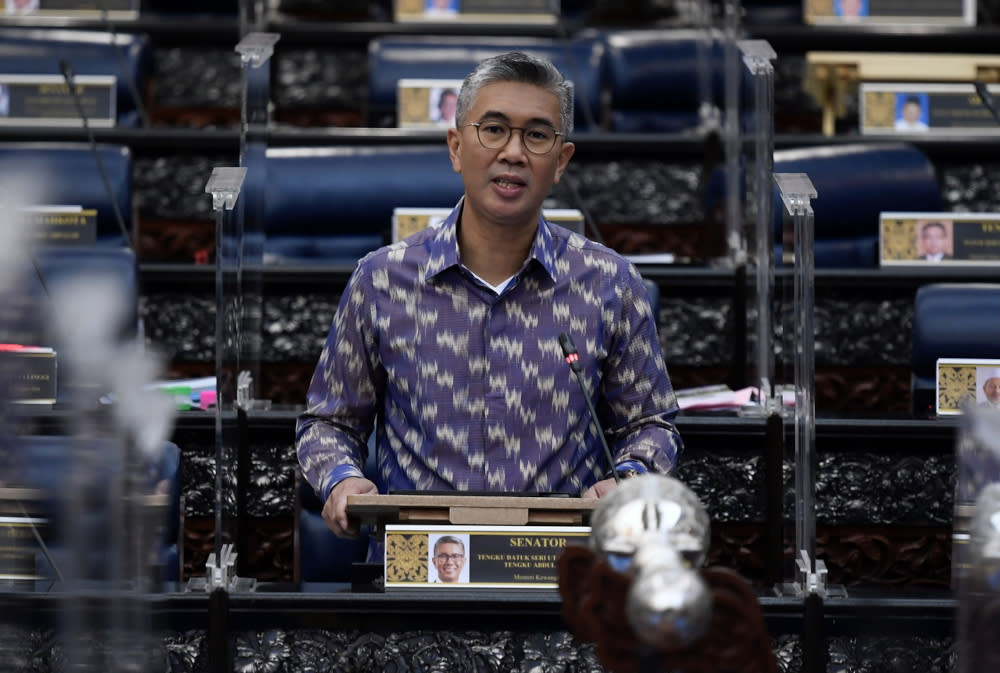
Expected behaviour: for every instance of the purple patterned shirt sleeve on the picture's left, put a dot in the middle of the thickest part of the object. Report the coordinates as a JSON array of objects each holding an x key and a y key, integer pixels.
[{"x": 342, "y": 400}]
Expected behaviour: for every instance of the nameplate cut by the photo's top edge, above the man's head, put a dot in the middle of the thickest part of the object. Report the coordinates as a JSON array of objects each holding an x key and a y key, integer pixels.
[{"x": 478, "y": 11}]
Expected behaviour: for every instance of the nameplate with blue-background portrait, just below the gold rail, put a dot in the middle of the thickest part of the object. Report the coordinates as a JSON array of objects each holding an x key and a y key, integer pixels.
[{"x": 926, "y": 109}]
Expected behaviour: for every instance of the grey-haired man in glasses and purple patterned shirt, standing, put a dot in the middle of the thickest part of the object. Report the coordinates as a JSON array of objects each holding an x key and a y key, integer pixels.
[{"x": 451, "y": 337}]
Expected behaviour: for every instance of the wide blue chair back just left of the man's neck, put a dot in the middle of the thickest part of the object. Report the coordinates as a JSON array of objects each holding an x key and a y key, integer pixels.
[{"x": 333, "y": 205}]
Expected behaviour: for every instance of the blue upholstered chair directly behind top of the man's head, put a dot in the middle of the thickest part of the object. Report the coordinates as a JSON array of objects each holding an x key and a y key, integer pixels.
[{"x": 393, "y": 58}]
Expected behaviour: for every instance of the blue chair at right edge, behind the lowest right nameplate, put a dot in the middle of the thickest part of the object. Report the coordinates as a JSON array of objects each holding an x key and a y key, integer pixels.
[{"x": 951, "y": 320}]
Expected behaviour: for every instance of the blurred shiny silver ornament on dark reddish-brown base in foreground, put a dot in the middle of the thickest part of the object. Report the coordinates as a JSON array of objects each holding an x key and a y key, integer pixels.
[{"x": 639, "y": 595}]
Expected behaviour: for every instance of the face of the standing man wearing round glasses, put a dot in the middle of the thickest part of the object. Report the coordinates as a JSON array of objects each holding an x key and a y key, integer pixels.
[{"x": 506, "y": 186}]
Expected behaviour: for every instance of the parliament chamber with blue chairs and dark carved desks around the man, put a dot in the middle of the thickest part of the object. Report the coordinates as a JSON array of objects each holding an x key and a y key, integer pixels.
[{"x": 152, "y": 497}]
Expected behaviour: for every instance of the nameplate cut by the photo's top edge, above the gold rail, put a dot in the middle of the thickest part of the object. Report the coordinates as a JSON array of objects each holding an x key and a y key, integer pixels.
[{"x": 853, "y": 12}]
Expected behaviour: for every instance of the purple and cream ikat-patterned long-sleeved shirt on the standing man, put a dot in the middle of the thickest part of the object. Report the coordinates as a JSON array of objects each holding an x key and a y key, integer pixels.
[{"x": 471, "y": 388}]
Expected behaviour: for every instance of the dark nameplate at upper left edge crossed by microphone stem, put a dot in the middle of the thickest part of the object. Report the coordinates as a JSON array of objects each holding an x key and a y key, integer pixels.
[{"x": 45, "y": 100}]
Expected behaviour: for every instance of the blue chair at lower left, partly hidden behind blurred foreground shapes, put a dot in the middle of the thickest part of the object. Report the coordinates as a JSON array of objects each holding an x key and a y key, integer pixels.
[{"x": 61, "y": 467}]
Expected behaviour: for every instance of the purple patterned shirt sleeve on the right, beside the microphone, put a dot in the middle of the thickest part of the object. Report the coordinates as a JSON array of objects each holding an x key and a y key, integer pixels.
[{"x": 638, "y": 399}]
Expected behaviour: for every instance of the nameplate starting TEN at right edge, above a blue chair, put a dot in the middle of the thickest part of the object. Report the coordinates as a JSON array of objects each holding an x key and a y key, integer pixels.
[{"x": 955, "y": 239}]
